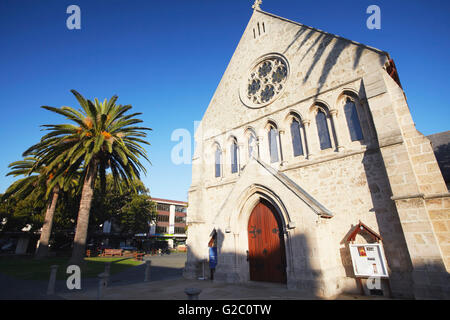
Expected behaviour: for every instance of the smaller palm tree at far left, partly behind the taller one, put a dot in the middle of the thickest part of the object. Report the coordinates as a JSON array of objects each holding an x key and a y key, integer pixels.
[{"x": 37, "y": 184}]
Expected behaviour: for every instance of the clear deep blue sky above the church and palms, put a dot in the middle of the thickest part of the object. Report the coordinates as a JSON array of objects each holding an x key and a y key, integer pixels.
[{"x": 166, "y": 59}]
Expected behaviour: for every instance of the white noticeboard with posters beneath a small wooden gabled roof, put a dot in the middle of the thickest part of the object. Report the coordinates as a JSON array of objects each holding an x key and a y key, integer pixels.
[{"x": 368, "y": 260}]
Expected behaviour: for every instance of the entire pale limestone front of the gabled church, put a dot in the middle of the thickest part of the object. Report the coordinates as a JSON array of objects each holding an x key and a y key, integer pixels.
[{"x": 389, "y": 180}]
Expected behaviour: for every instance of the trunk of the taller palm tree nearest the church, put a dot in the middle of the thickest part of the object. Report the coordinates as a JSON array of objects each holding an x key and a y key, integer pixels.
[{"x": 79, "y": 242}]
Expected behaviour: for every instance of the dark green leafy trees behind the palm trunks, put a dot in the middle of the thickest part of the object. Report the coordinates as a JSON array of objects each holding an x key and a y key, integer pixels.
[{"x": 130, "y": 208}]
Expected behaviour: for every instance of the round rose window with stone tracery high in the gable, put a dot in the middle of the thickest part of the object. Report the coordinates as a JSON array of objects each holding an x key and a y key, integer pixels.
[{"x": 266, "y": 81}]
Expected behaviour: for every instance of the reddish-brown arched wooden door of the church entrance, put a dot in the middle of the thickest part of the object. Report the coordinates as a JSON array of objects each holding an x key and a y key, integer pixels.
[{"x": 266, "y": 245}]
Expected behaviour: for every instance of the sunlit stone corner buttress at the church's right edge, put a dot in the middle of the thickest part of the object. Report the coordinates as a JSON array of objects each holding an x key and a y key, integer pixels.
[{"x": 410, "y": 182}]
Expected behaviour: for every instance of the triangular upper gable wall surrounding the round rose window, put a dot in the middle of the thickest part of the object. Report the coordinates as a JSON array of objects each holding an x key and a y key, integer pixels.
[{"x": 317, "y": 62}]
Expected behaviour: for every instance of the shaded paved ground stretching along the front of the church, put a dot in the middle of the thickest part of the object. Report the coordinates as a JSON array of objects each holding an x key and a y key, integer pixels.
[{"x": 166, "y": 283}]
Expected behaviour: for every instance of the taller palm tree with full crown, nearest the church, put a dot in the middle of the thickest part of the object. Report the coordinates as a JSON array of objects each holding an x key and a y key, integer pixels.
[{"x": 103, "y": 137}]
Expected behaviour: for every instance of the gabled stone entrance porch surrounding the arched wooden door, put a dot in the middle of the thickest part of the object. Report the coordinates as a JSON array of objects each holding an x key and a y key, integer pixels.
[{"x": 227, "y": 207}]
